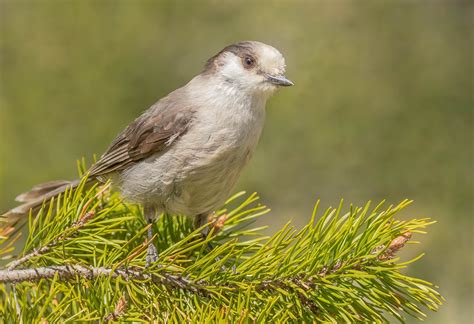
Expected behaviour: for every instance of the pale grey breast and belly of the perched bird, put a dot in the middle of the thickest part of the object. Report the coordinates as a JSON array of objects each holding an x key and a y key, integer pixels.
[{"x": 199, "y": 170}]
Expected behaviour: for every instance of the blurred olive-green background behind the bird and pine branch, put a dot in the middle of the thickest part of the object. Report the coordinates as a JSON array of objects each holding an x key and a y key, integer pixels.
[{"x": 382, "y": 107}]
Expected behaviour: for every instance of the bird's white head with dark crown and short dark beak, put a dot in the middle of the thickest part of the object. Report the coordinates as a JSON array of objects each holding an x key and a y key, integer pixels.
[{"x": 249, "y": 66}]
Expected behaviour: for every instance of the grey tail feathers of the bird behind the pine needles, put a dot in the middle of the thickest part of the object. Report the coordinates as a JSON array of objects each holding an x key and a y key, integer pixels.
[{"x": 39, "y": 194}]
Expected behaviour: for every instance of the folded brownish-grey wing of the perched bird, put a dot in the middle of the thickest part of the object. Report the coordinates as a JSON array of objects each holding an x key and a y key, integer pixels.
[{"x": 154, "y": 131}]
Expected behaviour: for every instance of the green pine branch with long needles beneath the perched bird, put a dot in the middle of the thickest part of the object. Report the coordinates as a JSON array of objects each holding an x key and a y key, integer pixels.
[{"x": 84, "y": 260}]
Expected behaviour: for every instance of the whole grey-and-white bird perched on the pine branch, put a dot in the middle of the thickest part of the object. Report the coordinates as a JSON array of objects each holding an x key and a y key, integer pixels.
[{"x": 186, "y": 152}]
